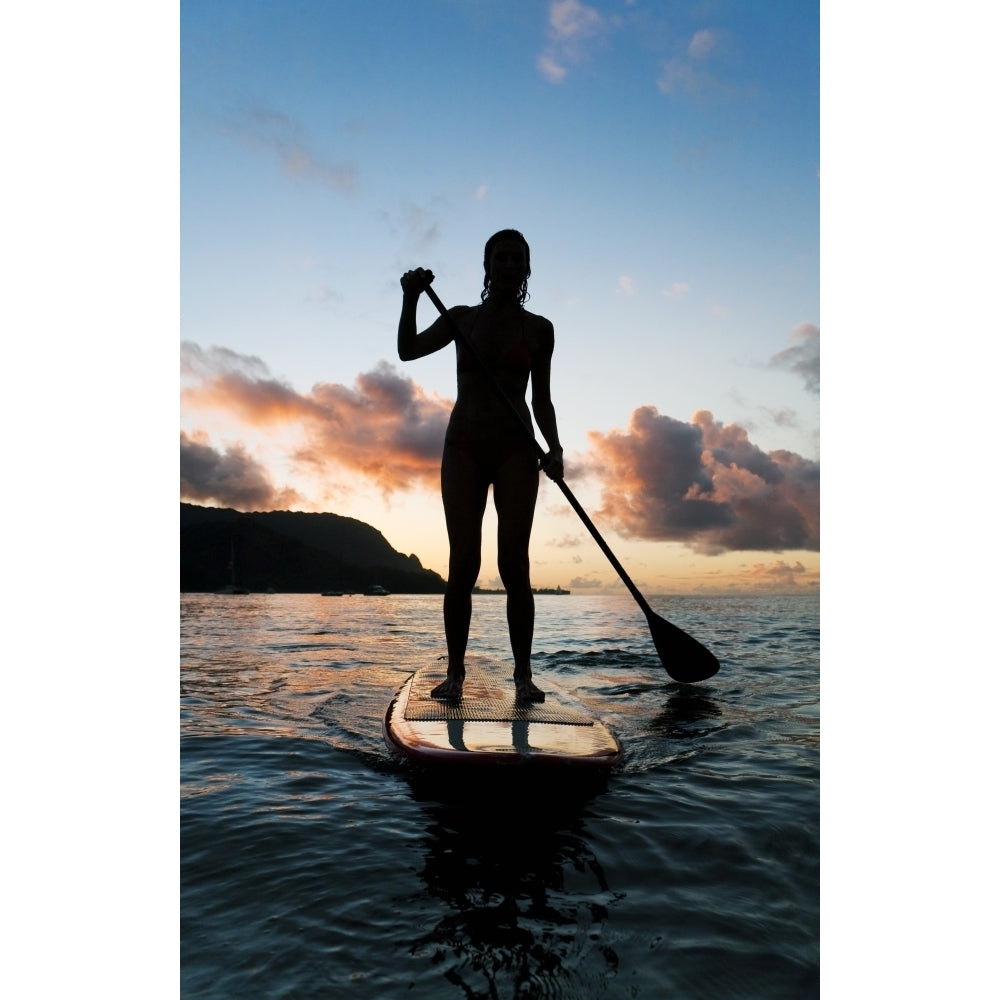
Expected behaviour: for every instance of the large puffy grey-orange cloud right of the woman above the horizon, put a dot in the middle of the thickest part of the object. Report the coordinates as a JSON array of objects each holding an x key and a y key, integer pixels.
[{"x": 705, "y": 485}]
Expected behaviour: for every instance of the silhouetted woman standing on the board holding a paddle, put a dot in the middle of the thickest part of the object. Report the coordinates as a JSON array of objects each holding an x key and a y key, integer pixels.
[{"x": 485, "y": 445}]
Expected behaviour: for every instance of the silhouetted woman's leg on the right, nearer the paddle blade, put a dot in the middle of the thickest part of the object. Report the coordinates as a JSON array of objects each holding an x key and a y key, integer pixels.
[{"x": 515, "y": 490}]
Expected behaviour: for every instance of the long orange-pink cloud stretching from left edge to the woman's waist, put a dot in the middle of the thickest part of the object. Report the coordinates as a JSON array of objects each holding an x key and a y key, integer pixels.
[{"x": 384, "y": 428}]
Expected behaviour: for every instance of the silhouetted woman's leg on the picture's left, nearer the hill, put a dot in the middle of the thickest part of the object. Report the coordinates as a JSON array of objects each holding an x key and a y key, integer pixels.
[{"x": 464, "y": 497}]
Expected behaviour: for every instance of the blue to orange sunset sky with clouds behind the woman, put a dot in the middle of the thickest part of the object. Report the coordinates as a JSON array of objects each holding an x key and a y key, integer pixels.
[{"x": 663, "y": 162}]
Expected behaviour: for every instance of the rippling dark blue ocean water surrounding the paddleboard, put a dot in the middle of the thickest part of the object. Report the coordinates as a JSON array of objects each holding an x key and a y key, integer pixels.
[{"x": 314, "y": 864}]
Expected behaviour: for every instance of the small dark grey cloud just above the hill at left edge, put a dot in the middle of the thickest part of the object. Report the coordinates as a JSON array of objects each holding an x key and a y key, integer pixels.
[{"x": 231, "y": 477}]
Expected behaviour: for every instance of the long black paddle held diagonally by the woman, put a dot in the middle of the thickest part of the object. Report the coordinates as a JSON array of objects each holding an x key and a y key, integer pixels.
[{"x": 684, "y": 658}]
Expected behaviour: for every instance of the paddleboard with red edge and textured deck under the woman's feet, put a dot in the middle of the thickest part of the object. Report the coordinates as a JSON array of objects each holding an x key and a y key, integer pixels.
[{"x": 488, "y": 726}]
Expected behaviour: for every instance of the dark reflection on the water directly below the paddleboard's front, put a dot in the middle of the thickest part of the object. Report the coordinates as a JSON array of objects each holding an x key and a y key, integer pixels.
[{"x": 525, "y": 896}]
